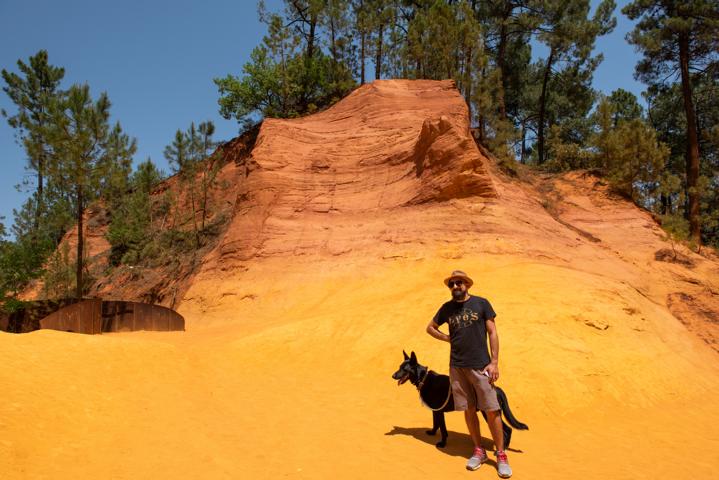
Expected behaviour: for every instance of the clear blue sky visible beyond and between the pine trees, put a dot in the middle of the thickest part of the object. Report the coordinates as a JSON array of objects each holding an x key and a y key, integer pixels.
[{"x": 156, "y": 60}]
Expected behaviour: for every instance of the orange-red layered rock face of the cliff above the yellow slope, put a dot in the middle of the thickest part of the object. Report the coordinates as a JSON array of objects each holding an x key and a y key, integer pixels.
[{"x": 389, "y": 144}]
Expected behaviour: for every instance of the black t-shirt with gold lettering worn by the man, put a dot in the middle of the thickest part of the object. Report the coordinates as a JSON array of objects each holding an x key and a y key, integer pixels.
[{"x": 467, "y": 331}]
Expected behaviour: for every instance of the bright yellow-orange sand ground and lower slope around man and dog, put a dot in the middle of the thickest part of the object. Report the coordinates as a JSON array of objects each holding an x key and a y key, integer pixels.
[{"x": 295, "y": 382}]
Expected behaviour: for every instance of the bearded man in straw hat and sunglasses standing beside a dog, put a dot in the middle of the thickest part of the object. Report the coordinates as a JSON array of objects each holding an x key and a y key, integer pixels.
[{"x": 472, "y": 370}]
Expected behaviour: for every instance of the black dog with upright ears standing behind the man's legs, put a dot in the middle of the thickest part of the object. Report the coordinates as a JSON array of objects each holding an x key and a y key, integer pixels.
[{"x": 436, "y": 393}]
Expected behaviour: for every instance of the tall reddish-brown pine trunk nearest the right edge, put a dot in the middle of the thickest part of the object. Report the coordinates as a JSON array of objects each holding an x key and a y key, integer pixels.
[{"x": 692, "y": 154}]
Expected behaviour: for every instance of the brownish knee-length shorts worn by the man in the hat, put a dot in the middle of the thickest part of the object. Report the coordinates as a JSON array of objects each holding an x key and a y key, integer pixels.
[{"x": 471, "y": 390}]
